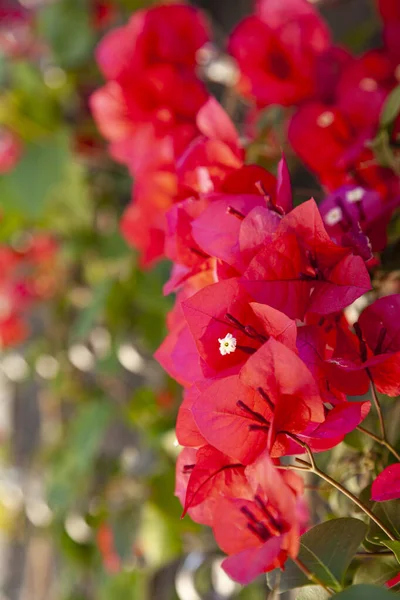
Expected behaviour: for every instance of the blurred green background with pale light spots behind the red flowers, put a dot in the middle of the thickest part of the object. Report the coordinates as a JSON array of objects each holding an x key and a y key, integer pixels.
[{"x": 87, "y": 459}]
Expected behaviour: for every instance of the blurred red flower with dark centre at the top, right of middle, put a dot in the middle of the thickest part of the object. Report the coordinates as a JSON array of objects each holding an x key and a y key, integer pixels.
[{"x": 277, "y": 52}]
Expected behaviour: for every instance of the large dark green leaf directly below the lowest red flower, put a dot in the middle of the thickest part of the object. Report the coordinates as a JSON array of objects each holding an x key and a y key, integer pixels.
[{"x": 327, "y": 550}]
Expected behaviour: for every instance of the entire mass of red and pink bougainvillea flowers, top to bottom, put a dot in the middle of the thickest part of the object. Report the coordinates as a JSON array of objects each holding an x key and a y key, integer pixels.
[{"x": 258, "y": 335}]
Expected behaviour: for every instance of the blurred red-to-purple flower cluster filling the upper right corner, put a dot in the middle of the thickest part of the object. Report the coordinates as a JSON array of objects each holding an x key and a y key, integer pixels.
[{"x": 286, "y": 57}]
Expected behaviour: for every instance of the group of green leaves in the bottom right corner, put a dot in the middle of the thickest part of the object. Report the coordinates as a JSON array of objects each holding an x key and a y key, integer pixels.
[{"x": 334, "y": 552}]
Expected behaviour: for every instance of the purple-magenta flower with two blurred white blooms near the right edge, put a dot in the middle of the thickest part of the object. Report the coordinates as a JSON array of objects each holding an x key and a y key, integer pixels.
[{"x": 349, "y": 206}]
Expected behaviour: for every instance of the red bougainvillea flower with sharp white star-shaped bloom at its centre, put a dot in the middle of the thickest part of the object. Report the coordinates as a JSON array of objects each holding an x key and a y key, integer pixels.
[{"x": 227, "y": 327}]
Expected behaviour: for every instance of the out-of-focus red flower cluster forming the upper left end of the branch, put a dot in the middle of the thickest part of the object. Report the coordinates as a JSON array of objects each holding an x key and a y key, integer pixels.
[{"x": 147, "y": 110}]
